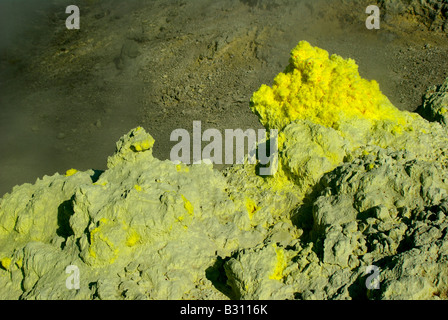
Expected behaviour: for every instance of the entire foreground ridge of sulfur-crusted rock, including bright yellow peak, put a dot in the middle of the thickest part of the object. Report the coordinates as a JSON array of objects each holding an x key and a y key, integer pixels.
[{"x": 360, "y": 183}]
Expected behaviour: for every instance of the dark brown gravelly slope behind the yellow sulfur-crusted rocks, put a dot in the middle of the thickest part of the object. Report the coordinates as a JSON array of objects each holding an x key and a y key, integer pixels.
[{"x": 67, "y": 96}]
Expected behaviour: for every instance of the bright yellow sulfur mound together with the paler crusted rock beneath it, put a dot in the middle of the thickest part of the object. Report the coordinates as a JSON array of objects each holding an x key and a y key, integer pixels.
[{"x": 325, "y": 112}]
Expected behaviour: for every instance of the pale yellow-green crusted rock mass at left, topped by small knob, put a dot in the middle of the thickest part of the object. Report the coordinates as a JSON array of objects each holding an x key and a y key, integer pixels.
[{"x": 171, "y": 221}]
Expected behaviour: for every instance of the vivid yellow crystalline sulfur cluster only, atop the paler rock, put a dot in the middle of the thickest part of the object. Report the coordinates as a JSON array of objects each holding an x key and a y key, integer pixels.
[{"x": 322, "y": 89}]
